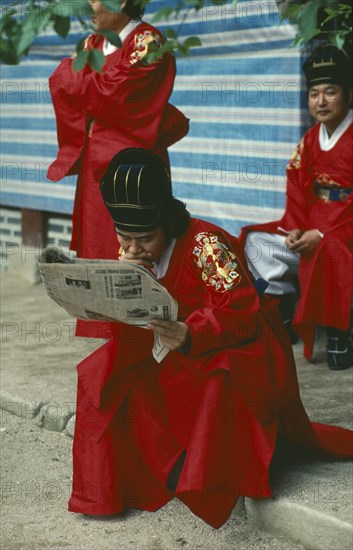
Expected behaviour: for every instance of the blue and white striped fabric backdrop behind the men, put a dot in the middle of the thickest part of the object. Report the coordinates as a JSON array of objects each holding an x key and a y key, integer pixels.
[{"x": 242, "y": 91}]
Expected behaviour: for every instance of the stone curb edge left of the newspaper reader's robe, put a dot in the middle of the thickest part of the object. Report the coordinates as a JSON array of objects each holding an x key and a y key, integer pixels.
[{"x": 49, "y": 415}]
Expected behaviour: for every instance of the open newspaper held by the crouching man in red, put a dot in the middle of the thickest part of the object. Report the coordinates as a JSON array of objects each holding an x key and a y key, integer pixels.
[{"x": 107, "y": 290}]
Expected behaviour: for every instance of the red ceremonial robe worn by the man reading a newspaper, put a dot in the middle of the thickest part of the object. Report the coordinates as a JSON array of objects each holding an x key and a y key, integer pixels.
[{"x": 225, "y": 402}]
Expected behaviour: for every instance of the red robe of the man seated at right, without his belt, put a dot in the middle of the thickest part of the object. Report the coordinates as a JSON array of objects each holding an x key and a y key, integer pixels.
[{"x": 326, "y": 275}]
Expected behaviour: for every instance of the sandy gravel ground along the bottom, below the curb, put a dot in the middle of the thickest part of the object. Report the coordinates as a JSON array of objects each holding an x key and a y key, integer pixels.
[{"x": 36, "y": 474}]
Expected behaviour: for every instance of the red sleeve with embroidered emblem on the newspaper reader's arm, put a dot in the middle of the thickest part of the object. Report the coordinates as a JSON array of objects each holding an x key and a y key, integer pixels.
[{"x": 229, "y": 317}]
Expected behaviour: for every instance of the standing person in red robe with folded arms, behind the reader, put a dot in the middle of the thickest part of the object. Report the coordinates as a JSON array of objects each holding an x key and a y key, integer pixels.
[{"x": 98, "y": 114}]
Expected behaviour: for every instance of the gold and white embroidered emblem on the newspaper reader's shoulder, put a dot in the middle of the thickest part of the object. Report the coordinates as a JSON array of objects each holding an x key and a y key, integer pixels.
[{"x": 217, "y": 263}]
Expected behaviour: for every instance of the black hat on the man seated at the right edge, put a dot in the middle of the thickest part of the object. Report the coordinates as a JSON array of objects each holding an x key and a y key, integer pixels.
[{"x": 328, "y": 65}]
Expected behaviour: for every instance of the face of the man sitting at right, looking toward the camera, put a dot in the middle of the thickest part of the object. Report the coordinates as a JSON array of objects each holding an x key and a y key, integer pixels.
[{"x": 328, "y": 104}]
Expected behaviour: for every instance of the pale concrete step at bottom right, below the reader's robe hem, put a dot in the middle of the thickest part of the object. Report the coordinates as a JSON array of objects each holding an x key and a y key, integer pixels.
[{"x": 312, "y": 505}]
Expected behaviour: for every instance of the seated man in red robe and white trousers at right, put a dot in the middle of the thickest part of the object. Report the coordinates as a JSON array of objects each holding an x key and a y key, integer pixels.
[{"x": 315, "y": 234}]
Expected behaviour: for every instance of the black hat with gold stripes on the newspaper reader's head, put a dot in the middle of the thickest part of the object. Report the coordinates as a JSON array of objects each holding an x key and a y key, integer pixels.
[{"x": 136, "y": 188}]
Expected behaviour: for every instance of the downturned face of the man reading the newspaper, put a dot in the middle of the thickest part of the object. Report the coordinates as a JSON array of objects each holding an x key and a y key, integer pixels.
[{"x": 145, "y": 245}]
